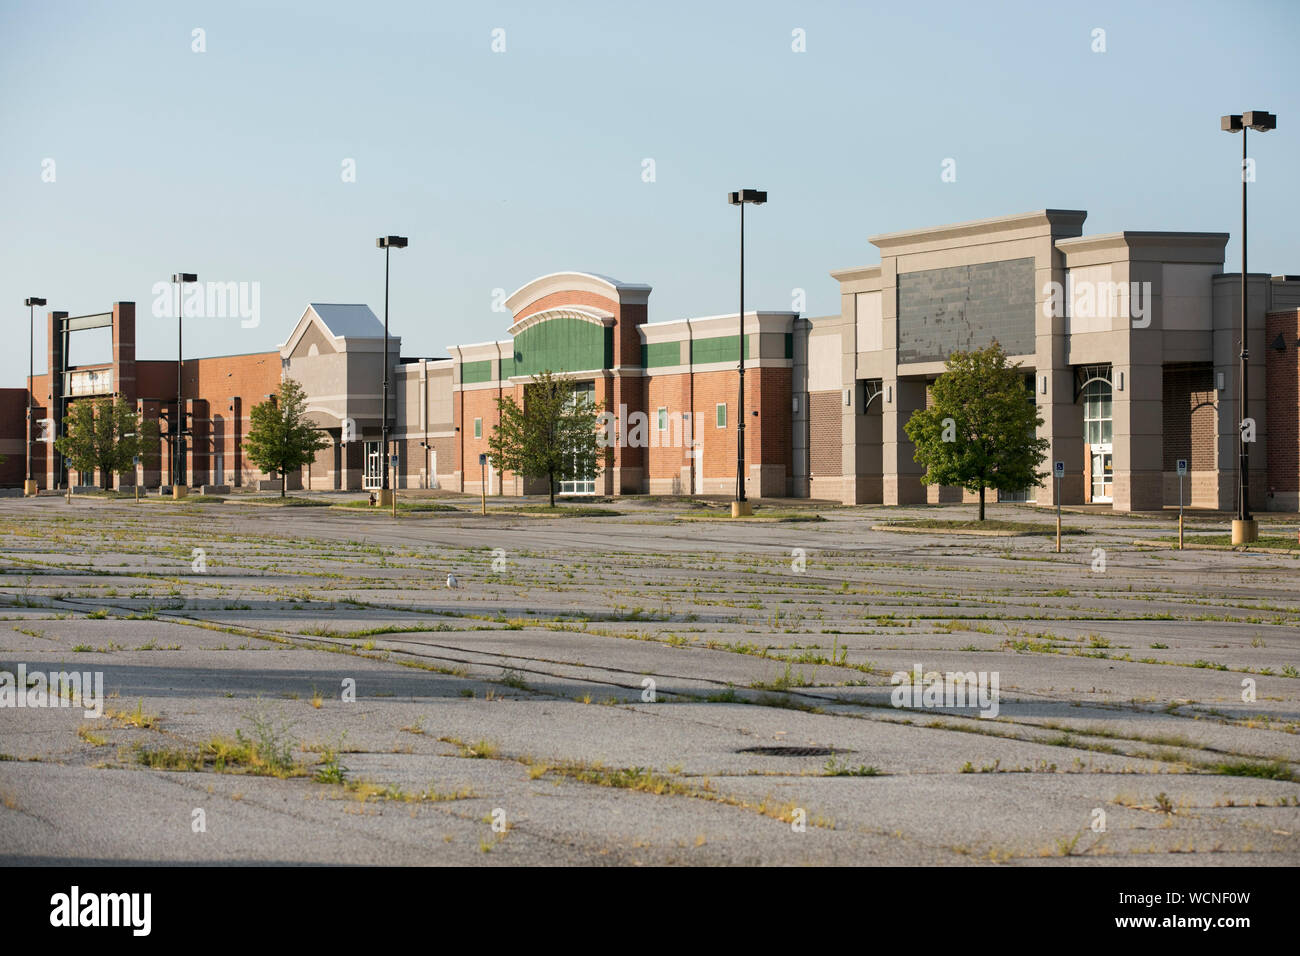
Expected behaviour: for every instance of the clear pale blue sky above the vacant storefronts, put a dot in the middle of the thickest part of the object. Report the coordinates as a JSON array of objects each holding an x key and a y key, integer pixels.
[{"x": 504, "y": 167}]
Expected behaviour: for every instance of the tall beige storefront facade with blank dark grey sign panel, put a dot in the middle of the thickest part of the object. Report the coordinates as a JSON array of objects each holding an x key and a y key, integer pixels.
[{"x": 1147, "y": 319}]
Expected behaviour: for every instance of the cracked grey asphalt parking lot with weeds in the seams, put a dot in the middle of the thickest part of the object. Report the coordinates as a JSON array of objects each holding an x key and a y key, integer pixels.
[{"x": 601, "y": 690}]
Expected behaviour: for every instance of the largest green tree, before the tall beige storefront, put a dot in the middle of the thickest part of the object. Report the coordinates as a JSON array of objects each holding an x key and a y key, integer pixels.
[{"x": 980, "y": 431}]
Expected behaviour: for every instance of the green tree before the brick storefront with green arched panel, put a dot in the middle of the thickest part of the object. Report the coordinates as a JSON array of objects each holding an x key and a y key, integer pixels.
[{"x": 553, "y": 436}]
